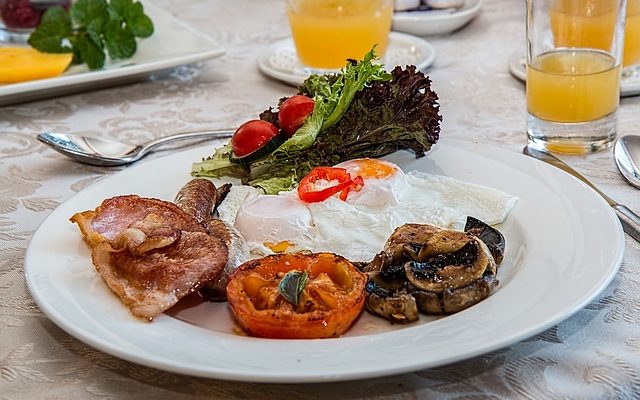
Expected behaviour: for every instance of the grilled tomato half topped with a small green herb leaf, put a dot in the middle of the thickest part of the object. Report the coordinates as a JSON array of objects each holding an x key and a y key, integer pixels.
[{"x": 297, "y": 296}]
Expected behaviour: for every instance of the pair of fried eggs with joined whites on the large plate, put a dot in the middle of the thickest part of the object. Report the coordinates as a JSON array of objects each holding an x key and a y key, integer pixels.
[{"x": 358, "y": 227}]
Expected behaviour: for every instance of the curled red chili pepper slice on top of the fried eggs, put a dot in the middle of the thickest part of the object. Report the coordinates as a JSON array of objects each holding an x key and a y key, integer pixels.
[{"x": 307, "y": 192}]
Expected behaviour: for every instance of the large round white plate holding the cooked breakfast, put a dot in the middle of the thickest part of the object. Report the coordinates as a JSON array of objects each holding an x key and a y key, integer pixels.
[{"x": 558, "y": 258}]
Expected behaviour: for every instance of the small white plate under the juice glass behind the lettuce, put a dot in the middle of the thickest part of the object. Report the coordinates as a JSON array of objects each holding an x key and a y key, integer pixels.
[{"x": 280, "y": 60}]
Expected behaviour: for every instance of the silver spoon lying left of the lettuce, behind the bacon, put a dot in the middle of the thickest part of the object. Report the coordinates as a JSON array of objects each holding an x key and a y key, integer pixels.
[{"x": 107, "y": 153}]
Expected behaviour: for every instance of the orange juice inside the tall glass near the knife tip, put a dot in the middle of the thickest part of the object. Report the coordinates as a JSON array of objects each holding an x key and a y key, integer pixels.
[{"x": 573, "y": 86}]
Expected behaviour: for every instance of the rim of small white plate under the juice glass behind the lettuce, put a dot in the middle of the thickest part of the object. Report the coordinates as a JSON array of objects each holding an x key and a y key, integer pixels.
[{"x": 292, "y": 79}]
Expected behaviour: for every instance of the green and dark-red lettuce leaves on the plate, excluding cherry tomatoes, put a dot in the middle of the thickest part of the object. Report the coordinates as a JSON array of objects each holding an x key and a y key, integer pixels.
[{"x": 380, "y": 118}]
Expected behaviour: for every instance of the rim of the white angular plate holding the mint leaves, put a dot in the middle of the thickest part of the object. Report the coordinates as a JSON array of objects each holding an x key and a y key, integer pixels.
[{"x": 40, "y": 86}]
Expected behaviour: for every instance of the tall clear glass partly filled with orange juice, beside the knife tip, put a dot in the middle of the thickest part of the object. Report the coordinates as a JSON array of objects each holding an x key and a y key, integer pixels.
[{"x": 574, "y": 58}]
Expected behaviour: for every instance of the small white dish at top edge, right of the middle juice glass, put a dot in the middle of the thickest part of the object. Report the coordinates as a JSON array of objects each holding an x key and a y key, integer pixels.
[{"x": 422, "y": 23}]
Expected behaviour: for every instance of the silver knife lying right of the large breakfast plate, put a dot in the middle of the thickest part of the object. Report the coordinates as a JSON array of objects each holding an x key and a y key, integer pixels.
[{"x": 630, "y": 220}]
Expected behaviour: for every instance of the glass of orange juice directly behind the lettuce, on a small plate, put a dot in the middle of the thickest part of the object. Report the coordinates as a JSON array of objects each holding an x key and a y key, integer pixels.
[{"x": 328, "y": 32}]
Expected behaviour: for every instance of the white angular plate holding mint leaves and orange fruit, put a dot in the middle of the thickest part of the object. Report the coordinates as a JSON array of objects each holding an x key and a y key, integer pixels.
[{"x": 173, "y": 43}]
